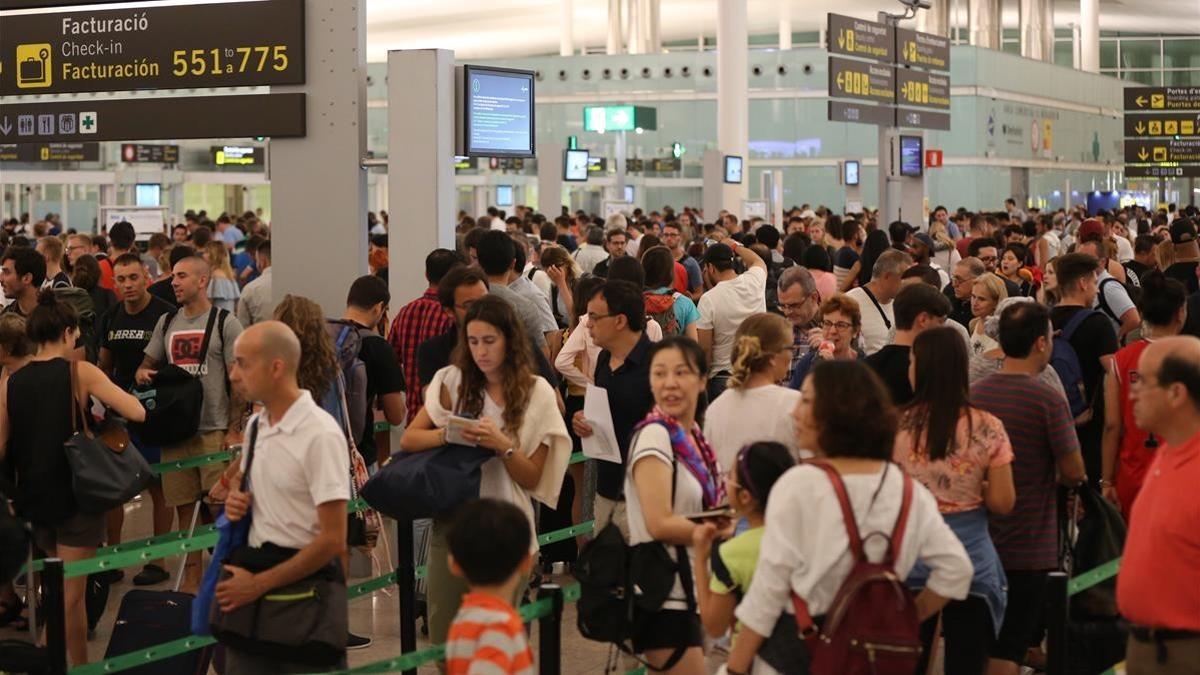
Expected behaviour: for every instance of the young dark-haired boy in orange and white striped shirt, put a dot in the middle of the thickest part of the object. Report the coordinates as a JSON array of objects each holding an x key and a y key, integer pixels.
[{"x": 490, "y": 548}]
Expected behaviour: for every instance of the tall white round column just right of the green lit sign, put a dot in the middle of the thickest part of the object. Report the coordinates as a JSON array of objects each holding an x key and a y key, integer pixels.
[{"x": 733, "y": 94}]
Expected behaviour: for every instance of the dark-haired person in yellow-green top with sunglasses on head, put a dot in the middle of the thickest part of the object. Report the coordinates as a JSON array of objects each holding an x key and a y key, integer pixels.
[{"x": 748, "y": 485}]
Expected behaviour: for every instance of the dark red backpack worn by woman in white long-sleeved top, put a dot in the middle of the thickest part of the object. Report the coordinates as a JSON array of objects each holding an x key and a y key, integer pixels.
[{"x": 872, "y": 628}]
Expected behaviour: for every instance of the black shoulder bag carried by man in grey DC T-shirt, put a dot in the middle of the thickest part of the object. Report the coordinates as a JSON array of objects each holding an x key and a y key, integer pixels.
[{"x": 176, "y": 398}]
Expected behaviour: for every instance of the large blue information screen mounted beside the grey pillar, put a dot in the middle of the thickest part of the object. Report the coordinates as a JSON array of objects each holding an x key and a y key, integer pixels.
[{"x": 497, "y": 112}]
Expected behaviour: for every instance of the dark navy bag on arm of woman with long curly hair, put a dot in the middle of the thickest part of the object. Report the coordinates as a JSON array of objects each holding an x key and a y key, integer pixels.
[{"x": 428, "y": 485}]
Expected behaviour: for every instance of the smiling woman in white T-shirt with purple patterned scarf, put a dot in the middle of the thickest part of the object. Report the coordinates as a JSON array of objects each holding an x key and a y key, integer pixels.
[{"x": 673, "y": 485}]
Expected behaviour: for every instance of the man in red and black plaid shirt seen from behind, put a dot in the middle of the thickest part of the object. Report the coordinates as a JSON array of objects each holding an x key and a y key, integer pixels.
[{"x": 419, "y": 321}]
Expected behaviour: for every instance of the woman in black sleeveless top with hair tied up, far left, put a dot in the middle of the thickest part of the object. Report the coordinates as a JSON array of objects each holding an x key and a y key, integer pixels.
[{"x": 37, "y": 414}]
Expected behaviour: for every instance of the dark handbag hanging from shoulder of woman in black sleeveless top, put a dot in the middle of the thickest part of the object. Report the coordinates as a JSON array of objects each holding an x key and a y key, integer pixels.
[{"x": 105, "y": 474}]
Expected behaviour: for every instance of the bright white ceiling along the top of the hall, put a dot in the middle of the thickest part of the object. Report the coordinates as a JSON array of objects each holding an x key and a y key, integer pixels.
[{"x": 517, "y": 28}]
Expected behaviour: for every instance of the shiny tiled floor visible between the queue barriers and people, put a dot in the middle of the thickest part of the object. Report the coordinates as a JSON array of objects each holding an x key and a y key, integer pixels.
[{"x": 376, "y": 616}]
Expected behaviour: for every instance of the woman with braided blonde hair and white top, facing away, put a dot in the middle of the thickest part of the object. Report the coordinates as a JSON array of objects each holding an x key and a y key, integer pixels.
[{"x": 748, "y": 411}]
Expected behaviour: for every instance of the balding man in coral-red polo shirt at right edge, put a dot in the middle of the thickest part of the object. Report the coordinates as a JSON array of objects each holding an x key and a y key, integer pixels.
[{"x": 1159, "y": 590}]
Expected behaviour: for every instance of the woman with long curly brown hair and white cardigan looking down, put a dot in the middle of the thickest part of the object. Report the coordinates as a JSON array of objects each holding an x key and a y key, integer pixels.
[{"x": 491, "y": 380}]
